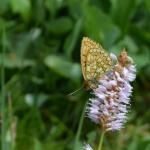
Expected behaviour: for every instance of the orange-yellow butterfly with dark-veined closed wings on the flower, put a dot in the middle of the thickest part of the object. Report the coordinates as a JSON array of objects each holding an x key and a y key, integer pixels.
[{"x": 95, "y": 62}]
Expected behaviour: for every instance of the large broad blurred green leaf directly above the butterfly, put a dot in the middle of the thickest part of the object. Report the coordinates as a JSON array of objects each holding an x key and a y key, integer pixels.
[{"x": 99, "y": 26}]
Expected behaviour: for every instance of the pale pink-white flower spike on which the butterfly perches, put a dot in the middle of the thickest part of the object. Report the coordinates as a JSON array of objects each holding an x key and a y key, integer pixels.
[{"x": 112, "y": 96}]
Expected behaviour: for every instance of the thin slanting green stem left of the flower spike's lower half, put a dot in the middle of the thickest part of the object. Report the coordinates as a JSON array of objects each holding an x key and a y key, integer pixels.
[{"x": 79, "y": 128}]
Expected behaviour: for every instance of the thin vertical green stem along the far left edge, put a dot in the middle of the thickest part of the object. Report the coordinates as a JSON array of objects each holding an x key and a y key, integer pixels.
[{"x": 3, "y": 126}]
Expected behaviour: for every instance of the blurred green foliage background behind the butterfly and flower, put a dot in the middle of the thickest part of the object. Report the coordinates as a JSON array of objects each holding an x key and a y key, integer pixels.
[{"x": 42, "y": 41}]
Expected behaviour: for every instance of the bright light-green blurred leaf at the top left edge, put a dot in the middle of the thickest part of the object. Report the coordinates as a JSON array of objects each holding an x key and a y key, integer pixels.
[{"x": 22, "y": 7}]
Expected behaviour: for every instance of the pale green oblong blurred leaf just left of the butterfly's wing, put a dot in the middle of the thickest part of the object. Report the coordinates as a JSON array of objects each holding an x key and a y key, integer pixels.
[{"x": 64, "y": 67}]
